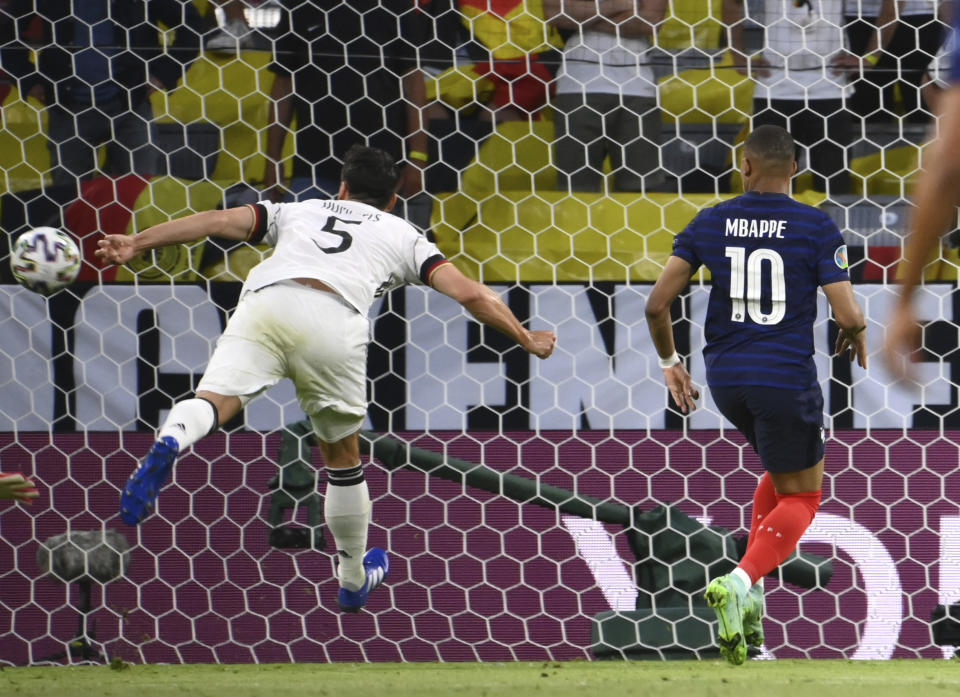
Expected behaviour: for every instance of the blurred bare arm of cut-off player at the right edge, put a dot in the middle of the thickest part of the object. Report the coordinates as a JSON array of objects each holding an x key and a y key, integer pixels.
[{"x": 935, "y": 198}]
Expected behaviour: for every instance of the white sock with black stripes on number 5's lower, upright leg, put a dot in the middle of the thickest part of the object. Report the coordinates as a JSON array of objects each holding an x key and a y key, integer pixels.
[{"x": 346, "y": 511}]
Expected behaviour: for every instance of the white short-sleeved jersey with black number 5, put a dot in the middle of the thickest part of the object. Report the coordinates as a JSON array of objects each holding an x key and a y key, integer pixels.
[{"x": 358, "y": 250}]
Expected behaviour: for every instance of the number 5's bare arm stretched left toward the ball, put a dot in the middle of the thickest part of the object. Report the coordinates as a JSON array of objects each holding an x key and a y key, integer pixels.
[{"x": 233, "y": 223}]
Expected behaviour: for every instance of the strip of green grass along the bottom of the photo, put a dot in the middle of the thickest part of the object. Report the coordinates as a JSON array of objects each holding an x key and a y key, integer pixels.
[{"x": 809, "y": 678}]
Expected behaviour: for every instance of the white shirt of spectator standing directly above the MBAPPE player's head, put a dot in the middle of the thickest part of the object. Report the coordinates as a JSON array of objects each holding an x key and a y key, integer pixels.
[{"x": 802, "y": 39}]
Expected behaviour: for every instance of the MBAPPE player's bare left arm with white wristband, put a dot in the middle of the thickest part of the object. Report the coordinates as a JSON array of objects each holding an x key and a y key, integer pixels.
[{"x": 672, "y": 281}]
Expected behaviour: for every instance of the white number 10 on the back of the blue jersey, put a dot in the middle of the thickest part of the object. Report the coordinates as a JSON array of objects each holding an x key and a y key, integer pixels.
[{"x": 746, "y": 285}]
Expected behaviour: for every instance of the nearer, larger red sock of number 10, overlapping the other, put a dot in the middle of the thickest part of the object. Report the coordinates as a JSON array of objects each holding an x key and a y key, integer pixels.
[{"x": 779, "y": 532}]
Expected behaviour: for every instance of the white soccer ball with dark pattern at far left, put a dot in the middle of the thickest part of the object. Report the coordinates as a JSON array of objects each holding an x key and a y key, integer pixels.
[{"x": 45, "y": 260}]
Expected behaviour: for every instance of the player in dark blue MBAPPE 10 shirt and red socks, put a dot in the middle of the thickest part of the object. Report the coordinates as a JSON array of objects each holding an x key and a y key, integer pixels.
[{"x": 767, "y": 255}]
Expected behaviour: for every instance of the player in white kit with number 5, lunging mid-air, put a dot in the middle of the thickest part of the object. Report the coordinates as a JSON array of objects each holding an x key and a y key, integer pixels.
[{"x": 303, "y": 315}]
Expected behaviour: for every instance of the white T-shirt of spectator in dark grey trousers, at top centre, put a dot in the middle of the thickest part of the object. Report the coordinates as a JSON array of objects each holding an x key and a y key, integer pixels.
[{"x": 596, "y": 61}]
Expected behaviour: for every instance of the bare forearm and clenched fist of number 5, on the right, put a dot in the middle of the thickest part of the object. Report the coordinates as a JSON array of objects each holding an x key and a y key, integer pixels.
[{"x": 487, "y": 307}]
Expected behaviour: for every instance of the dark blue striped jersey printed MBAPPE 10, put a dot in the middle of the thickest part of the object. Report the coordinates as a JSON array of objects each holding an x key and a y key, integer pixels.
[{"x": 767, "y": 255}]
